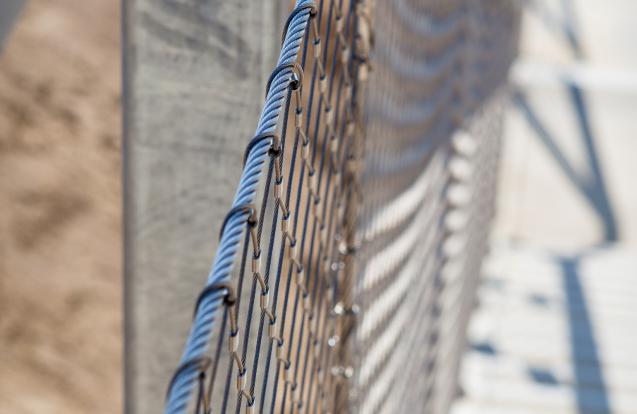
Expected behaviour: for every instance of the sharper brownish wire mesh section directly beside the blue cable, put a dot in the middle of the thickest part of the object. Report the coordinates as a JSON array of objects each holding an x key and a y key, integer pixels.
[{"x": 277, "y": 346}]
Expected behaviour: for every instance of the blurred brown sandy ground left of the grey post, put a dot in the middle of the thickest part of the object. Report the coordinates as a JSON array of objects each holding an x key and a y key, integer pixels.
[{"x": 60, "y": 198}]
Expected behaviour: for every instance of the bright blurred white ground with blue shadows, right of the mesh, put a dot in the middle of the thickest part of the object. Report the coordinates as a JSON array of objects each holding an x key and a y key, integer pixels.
[{"x": 553, "y": 330}]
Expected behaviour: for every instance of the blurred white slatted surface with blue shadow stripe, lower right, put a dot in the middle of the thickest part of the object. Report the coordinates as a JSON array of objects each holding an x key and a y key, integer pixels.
[{"x": 554, "y": 333}]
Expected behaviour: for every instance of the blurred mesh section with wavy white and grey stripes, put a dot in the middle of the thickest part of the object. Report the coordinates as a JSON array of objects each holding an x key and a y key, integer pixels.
[{"x": 433, "y": 121}]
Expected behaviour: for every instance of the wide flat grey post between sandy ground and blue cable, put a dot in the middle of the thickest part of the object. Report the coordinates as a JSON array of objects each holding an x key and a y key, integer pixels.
[{"x": 194, "y": 76}]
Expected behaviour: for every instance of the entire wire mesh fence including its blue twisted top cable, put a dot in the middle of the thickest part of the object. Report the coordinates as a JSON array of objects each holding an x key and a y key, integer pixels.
[{"x": 347, "y": 262}]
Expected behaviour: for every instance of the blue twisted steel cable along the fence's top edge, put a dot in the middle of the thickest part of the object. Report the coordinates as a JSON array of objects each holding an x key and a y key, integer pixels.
[{"x": 198, "y": 341}]
